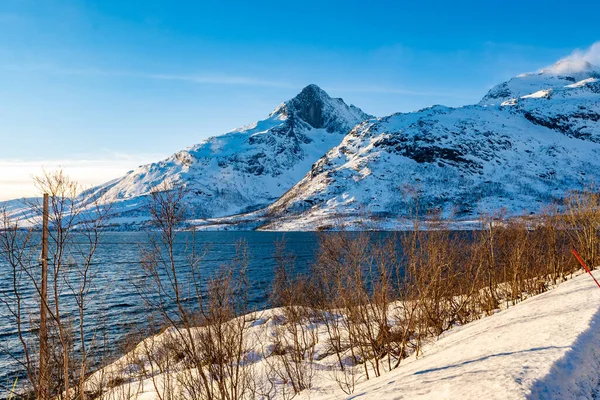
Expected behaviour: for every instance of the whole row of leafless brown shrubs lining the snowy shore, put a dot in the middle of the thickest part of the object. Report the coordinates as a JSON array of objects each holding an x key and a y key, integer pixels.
[{"x": 368, "y": 302}]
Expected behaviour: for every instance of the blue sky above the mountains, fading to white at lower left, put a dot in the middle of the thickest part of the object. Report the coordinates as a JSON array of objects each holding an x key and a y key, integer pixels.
[{"x": 100, "y": 87}]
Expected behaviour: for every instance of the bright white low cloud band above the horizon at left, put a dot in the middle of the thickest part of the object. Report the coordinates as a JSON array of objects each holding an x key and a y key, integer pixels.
[{"x": 16, "y": 176}]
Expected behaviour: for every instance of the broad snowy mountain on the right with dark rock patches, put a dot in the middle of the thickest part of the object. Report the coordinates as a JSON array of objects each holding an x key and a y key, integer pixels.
[{"x": 526, "y": 143}]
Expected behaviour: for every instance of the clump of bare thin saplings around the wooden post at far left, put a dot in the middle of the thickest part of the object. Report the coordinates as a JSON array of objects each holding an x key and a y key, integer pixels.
[{"x": 76, "y": 220}]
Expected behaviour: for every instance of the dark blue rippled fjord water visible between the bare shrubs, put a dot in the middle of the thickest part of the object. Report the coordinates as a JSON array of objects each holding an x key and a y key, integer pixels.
[{"x": 115, "y": 306}]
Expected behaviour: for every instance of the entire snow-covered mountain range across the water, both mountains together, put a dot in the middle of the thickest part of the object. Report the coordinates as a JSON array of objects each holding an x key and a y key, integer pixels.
[{"x": 315, "y": 161}]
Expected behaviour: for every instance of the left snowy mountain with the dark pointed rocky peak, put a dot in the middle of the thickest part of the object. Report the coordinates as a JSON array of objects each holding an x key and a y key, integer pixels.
[{"x": 246, "y": 168}]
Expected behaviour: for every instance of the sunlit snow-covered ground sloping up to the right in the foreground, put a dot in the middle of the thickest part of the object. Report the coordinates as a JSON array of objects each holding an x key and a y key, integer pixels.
[{"x": 546, "y": 347}]
